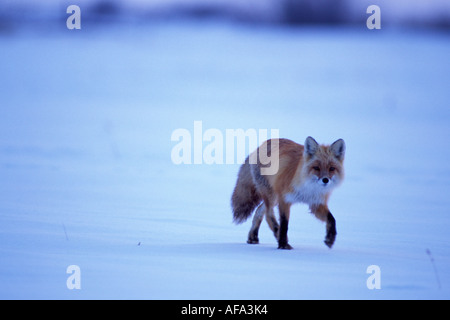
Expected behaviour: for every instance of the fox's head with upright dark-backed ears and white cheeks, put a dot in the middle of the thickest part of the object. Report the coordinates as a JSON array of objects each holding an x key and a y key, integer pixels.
[{"x": 323, "y": 165}]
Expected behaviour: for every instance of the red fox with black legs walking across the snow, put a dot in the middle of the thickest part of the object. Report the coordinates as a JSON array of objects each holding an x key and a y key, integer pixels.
[{"x": 306, "y": 174}]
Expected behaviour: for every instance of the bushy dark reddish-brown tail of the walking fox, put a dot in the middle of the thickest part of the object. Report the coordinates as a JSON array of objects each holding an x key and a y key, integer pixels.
[{"x": 245, "y": 197}]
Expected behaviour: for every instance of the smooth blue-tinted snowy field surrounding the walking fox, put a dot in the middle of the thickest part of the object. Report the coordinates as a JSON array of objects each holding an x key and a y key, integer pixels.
[{"x": 86, "y": 176}]
